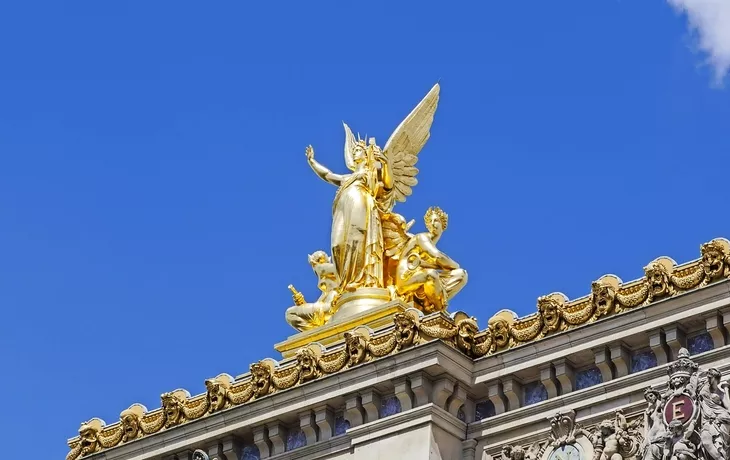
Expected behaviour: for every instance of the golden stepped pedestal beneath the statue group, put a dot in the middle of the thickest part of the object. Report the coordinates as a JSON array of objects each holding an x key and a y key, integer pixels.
[{"x": 358, "y": 313}]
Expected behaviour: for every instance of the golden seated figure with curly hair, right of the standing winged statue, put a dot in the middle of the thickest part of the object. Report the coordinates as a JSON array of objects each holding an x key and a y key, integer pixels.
[{"x": 422, "y": 273}]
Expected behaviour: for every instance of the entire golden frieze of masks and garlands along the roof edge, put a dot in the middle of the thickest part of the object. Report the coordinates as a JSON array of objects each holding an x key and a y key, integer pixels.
[{"x": 609, "y": 296}]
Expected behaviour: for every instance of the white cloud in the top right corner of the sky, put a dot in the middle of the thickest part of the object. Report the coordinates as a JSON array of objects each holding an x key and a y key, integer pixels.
[{"x": 710, "y": 19}]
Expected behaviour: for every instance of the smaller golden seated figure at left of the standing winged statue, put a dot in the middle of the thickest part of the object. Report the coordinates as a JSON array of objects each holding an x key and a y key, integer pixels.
[{"x": 308, "y": 315}]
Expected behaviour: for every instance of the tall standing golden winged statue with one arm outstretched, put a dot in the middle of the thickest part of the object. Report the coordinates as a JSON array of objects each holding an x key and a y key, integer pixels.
[{"x": 366, "y": 196}]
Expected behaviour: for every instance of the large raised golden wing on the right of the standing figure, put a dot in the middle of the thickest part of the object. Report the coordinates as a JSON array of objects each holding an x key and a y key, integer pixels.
[{"x": 407, "y": 141}]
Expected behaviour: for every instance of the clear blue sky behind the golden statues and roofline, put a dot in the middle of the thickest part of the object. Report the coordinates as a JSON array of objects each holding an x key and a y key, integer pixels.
[{"x": 155, "y": 200}]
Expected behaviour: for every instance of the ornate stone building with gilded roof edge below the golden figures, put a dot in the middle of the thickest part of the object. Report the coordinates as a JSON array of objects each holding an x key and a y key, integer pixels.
[{"x": 631, "y": 370}]
